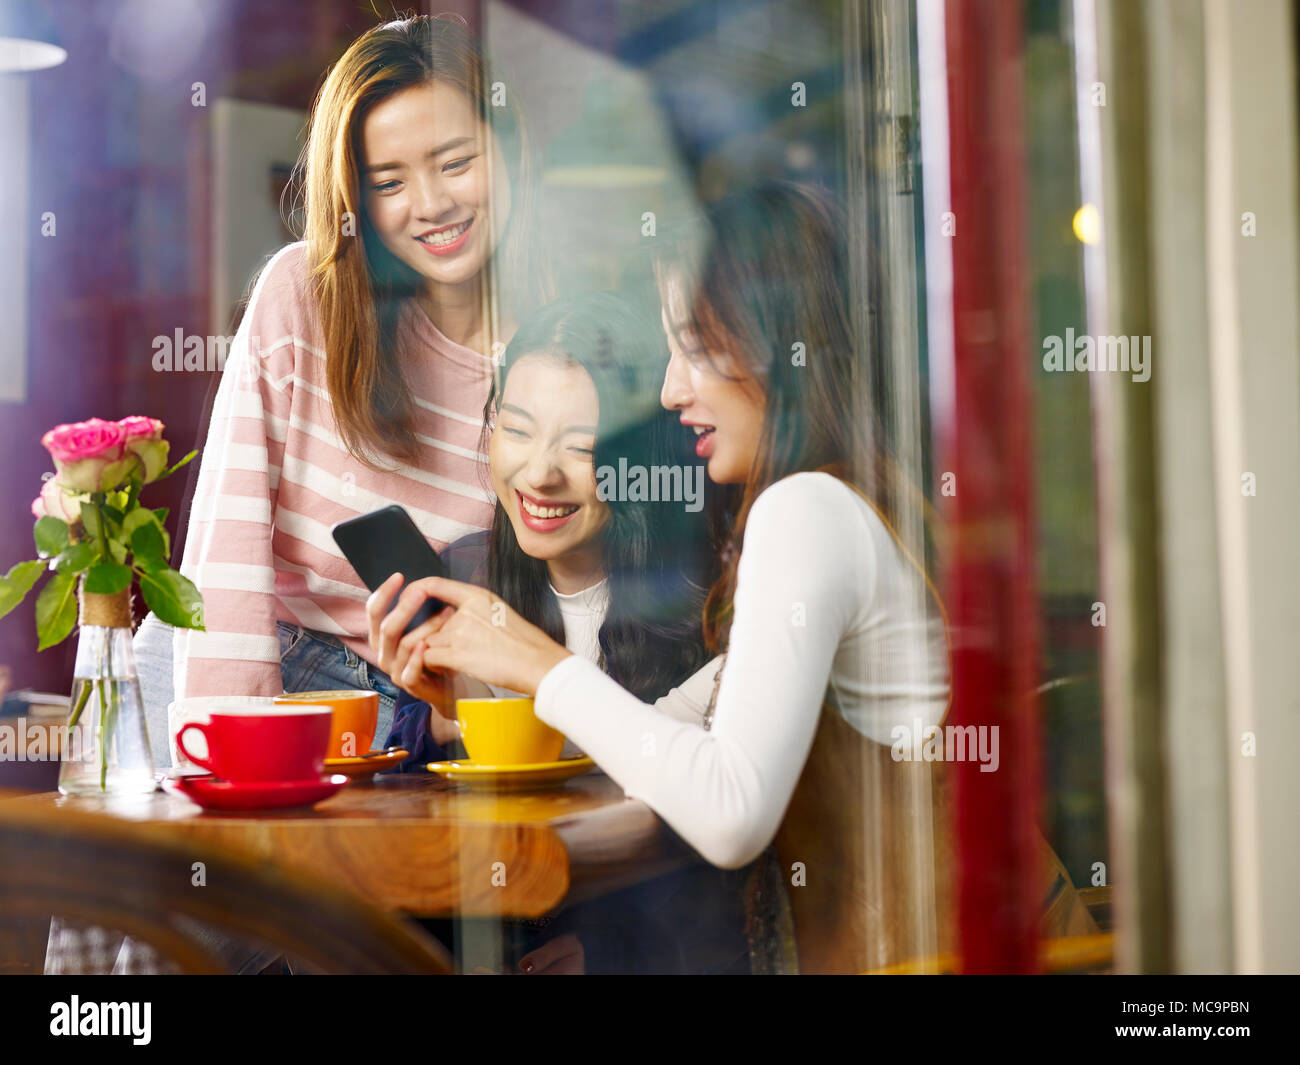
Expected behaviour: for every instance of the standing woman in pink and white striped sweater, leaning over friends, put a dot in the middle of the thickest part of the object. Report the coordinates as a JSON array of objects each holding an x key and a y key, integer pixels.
[{"x": 359, "y": 373}]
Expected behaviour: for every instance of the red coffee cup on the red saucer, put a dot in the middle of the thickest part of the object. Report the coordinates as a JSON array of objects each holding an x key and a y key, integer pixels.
[{"x": 249, "y": 744}]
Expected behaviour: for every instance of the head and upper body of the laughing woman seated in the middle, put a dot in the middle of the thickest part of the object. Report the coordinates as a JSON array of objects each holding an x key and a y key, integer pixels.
[{"x": 618, "y": 581}]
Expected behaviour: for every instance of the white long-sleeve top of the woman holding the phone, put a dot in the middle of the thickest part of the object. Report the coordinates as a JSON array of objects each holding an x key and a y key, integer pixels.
[{"x": 824, "y": 596}]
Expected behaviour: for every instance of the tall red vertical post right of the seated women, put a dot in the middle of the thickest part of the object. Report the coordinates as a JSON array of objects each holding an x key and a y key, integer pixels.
[{"x": 990, "y": 577}]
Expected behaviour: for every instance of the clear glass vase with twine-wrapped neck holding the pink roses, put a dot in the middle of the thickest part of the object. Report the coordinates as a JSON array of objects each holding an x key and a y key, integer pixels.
[{"x": 107, "y": 748}]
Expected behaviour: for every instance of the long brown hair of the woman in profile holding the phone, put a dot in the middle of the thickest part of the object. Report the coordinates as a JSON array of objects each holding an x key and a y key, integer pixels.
[{"x": 766, "y": 271}]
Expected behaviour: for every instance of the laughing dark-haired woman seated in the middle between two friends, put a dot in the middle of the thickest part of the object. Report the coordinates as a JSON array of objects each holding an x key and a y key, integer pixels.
[{"x": 613, "y": 572}]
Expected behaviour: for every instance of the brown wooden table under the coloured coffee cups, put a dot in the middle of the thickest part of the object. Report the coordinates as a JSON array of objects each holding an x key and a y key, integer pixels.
[{"x": 423, "y": 846}]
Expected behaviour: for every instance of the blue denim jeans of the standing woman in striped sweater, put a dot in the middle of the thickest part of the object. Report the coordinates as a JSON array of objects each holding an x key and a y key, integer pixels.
[{"x": 310, "y": 661}]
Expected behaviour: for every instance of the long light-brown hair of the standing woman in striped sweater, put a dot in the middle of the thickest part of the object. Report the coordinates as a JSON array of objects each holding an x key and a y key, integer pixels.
[{"x": 359, "y": 287}]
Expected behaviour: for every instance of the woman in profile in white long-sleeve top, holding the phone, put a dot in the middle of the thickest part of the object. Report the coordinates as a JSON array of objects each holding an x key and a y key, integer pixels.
[{"x": 818, "y": 603}]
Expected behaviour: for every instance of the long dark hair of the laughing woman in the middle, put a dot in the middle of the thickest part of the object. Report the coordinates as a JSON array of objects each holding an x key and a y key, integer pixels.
[{"x": 657, "y": 556}]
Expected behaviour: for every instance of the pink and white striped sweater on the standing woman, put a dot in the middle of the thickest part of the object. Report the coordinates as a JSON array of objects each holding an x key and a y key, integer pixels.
[{"x": 275, "y": 478}]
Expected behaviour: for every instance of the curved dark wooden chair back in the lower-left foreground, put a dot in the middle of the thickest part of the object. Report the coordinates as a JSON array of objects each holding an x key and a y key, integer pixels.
[{"x": 109, "y": 874}]
